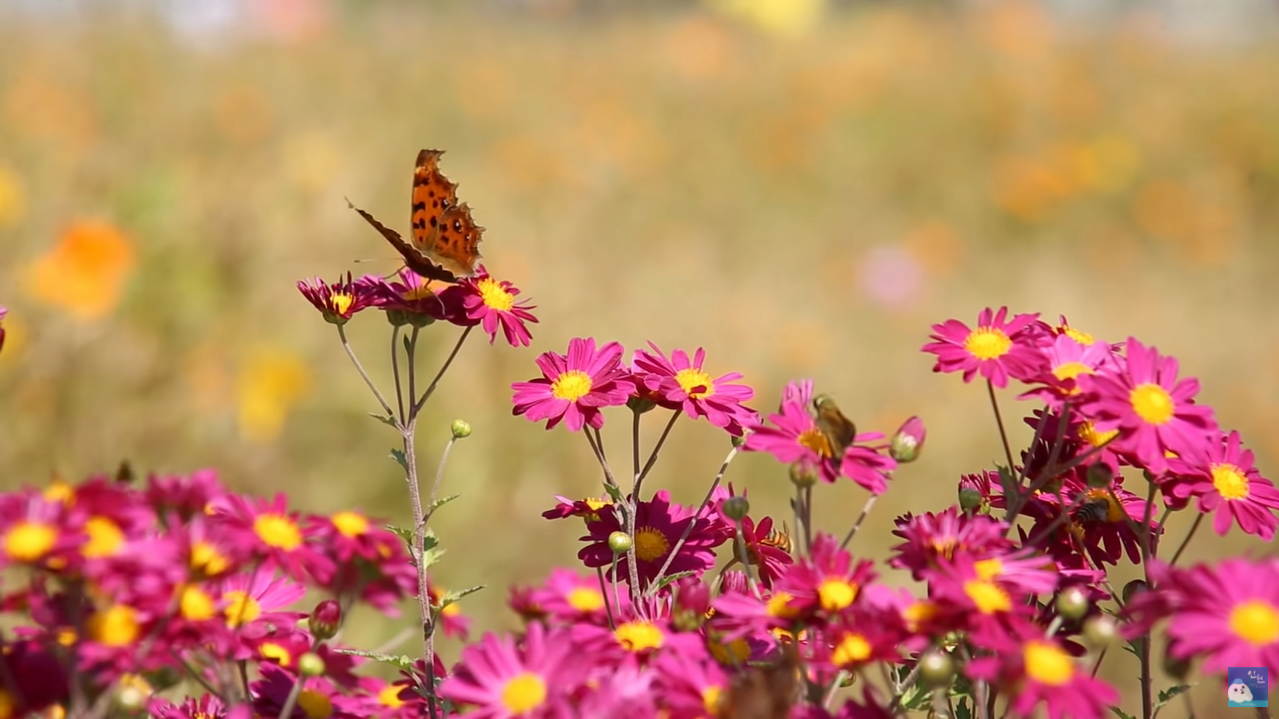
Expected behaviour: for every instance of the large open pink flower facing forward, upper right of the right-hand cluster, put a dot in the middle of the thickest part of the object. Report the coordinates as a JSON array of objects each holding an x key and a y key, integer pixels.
[{"x": 1153, "y": 411}]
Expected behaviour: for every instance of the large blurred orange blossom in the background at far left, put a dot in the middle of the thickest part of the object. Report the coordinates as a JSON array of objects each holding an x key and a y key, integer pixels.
[{"x": 85, "y": 273}]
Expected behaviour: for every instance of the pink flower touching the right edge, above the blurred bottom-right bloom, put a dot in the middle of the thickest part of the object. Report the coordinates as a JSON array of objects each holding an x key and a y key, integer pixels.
[{"x": 1225, "y": 479}]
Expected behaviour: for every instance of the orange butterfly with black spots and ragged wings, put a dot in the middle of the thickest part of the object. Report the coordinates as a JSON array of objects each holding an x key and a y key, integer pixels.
[{"x": 446, "y": 240}]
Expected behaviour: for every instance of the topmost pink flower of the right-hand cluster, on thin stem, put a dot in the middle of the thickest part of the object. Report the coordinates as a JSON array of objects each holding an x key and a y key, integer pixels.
[{"x": 997, "y": 350}]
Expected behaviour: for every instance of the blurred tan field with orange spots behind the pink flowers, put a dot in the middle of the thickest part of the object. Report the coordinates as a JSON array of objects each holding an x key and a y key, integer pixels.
[{"x": 799, "y": 186}]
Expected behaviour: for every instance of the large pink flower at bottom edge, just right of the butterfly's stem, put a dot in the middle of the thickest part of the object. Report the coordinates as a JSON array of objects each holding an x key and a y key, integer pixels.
[{"x": 502, "y": 680}]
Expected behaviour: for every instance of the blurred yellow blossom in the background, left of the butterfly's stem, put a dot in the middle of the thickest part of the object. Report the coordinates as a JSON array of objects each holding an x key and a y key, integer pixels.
[{"x": 269, "y": 384}]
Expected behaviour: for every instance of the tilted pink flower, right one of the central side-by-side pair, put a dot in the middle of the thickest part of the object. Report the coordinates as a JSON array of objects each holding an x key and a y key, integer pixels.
[{"x": 681, "y": 383}]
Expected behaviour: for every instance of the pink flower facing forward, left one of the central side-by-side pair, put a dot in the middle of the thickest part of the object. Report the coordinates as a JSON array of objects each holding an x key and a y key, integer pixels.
[{"x": 575, "y": 387}]
